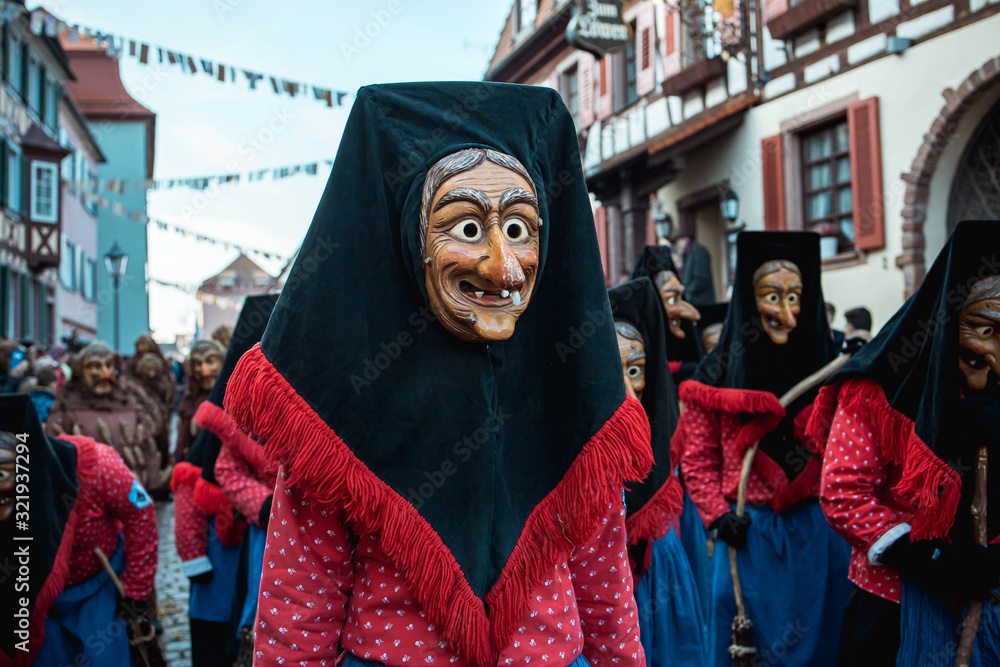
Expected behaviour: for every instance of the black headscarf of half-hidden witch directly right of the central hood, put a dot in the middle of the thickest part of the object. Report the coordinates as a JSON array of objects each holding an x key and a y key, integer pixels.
[{"x": 638, "y": 303}]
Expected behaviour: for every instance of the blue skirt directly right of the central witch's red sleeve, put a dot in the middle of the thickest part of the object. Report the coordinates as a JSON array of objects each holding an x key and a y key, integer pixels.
[{"x": 670, "y": 619}]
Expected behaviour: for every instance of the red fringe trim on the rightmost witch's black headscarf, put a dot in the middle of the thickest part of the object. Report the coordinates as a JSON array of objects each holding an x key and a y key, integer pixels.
[{"x": 929, "y": 484}]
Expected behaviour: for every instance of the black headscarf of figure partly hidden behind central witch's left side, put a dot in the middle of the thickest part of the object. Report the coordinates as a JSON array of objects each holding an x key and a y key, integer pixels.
[{"x": 248, "y": 331}]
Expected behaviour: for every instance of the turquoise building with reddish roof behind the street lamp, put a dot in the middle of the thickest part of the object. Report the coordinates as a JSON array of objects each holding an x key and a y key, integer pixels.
[{"x": 125, "y": 132}]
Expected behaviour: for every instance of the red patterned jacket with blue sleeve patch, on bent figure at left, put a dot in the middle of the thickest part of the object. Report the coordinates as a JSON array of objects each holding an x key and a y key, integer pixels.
[{"x": 109, "y": 505}]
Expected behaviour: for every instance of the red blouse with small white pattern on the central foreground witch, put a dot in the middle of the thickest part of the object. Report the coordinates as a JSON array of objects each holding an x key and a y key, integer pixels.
[{"x": 318, "y": 593}]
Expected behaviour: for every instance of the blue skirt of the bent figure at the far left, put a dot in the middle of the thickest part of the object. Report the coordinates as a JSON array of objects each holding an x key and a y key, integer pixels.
[{"x": 82, "y": 626}]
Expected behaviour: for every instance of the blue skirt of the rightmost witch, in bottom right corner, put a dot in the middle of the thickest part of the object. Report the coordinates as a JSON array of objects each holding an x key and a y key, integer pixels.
[{"x": 930, "y": 631}]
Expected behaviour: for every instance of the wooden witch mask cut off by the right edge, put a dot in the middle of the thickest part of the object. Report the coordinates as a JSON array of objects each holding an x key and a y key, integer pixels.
[{"x": 979, "y": 335}]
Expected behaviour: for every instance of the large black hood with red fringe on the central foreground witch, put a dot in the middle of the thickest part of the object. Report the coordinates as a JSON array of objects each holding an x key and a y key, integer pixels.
[{"x": 474, "y": 436}]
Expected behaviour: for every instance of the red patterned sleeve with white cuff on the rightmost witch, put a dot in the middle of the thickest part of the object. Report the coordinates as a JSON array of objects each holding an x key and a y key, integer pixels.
[{"x": 859, "y": 498}]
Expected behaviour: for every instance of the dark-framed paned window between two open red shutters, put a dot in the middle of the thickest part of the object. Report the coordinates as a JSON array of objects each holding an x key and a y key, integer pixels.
[{"x": 826, "y": 183}]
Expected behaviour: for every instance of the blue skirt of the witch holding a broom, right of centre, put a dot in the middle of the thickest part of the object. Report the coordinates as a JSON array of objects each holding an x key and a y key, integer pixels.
[{"x": 793, "y": 571}]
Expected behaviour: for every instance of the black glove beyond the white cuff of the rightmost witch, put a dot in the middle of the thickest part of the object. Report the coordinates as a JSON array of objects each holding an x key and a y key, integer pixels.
[{"x": 962, "y": 571}]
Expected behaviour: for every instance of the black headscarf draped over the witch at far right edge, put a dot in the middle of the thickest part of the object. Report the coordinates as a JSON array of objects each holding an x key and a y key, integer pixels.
[{"x": 914, "y": 358}]
